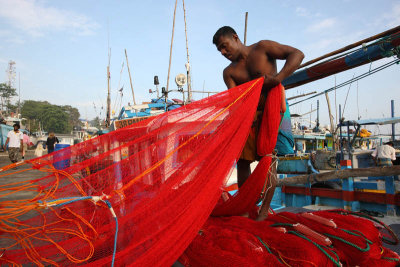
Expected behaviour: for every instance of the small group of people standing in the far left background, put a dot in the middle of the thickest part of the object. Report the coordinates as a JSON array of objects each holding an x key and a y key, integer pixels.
[{"x": 18, "y": 142}]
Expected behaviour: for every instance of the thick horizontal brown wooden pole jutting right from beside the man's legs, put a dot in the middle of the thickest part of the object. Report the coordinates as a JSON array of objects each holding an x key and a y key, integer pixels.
[{"x": 341, "y": 174}]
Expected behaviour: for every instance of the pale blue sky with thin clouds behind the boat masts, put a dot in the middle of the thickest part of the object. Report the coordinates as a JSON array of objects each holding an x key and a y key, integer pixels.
[{"x": 60, "y": 47}]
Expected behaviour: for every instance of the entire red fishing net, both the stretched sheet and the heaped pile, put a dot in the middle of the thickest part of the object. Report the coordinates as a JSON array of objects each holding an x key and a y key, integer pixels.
[{"x": 142, "y": 194}]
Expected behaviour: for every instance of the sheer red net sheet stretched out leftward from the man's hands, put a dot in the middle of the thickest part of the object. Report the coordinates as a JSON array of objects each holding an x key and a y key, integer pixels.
[{"x": 137, "y": 195}]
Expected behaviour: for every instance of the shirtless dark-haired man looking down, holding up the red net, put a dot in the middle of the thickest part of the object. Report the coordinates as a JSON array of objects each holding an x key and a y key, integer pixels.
[{"x": 251, "y": 62}]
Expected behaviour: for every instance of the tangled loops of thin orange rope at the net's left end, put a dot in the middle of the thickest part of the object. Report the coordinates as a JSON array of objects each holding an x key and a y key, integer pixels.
[{"x": 23, "y": 233}]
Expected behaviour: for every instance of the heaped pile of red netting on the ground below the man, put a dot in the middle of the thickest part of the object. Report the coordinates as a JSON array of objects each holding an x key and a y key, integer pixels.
[{"x": 322, "y": 238}]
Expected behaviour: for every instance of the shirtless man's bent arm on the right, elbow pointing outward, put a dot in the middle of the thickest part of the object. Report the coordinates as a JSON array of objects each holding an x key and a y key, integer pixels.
[{"x": 293, "y": 57}]
